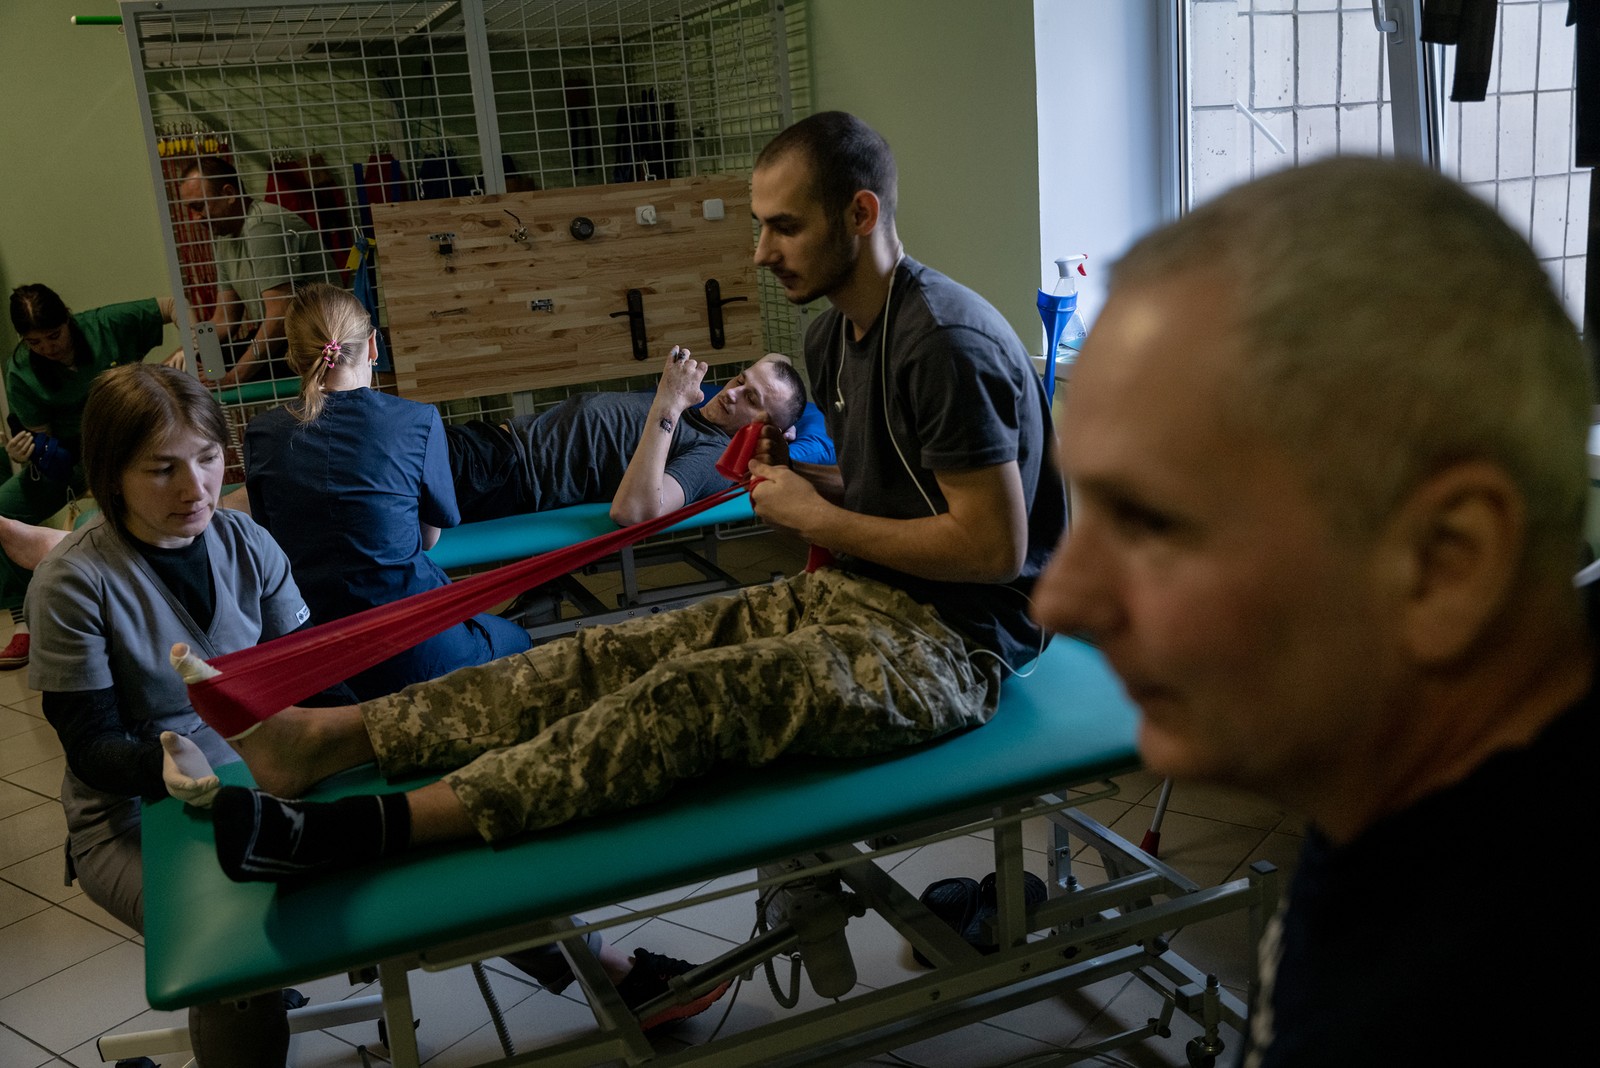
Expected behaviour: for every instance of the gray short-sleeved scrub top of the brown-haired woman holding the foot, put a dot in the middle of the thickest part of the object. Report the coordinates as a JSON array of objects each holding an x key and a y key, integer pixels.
[{"x": 103, "y": 621}]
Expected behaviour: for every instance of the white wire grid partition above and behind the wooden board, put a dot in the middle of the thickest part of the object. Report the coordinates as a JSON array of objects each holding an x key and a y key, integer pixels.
[{"x": 324, "y": 110}]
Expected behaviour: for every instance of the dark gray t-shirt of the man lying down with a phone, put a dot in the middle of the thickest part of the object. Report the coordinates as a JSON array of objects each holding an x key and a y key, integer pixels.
[{"x": 578, "y": 452}]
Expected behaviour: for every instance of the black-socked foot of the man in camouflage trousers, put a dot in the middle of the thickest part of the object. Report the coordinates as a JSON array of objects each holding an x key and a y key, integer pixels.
[{"x": 262, "y": 839}]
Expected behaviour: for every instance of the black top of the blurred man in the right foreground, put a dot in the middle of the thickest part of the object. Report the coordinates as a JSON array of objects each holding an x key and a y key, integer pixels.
[{"x": 1457, "y": 933}]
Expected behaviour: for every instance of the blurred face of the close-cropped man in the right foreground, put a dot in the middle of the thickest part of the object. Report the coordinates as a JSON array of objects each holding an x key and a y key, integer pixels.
[{"x": 1249, "y": 634}]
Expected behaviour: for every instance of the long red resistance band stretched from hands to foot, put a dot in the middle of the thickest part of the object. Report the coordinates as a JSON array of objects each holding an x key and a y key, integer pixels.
[{"x": 260, "y": 682}]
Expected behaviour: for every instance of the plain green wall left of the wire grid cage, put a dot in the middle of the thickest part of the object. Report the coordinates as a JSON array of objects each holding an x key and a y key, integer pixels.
[{"x": 78, "y": 212}]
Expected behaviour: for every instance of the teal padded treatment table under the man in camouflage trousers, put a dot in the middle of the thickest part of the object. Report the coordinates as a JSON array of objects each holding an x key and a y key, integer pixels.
[{"x": 1065, "y": 725}]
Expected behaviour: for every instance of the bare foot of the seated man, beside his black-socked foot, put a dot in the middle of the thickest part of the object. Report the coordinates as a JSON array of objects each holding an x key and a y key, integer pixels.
[{"x": 297, "y": 749}]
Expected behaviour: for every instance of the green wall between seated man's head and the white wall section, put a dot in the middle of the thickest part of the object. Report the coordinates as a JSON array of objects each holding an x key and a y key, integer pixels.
[{"x": 951, "y": 86}]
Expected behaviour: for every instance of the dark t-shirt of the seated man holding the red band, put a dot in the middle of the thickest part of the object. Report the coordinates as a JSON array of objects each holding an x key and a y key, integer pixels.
[{"x": 953, "y": 391}]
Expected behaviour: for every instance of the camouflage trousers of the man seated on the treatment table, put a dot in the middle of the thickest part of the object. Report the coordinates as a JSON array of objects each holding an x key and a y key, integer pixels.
[{"x": 823, "y": 664}]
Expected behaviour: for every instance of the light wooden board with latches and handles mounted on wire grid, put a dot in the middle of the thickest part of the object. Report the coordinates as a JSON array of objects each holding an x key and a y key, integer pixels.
[{"x": 470, "y": 322}]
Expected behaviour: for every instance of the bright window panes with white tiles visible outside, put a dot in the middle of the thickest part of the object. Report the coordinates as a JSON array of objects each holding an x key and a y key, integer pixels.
[{"x": 1282, "y": 82}]
